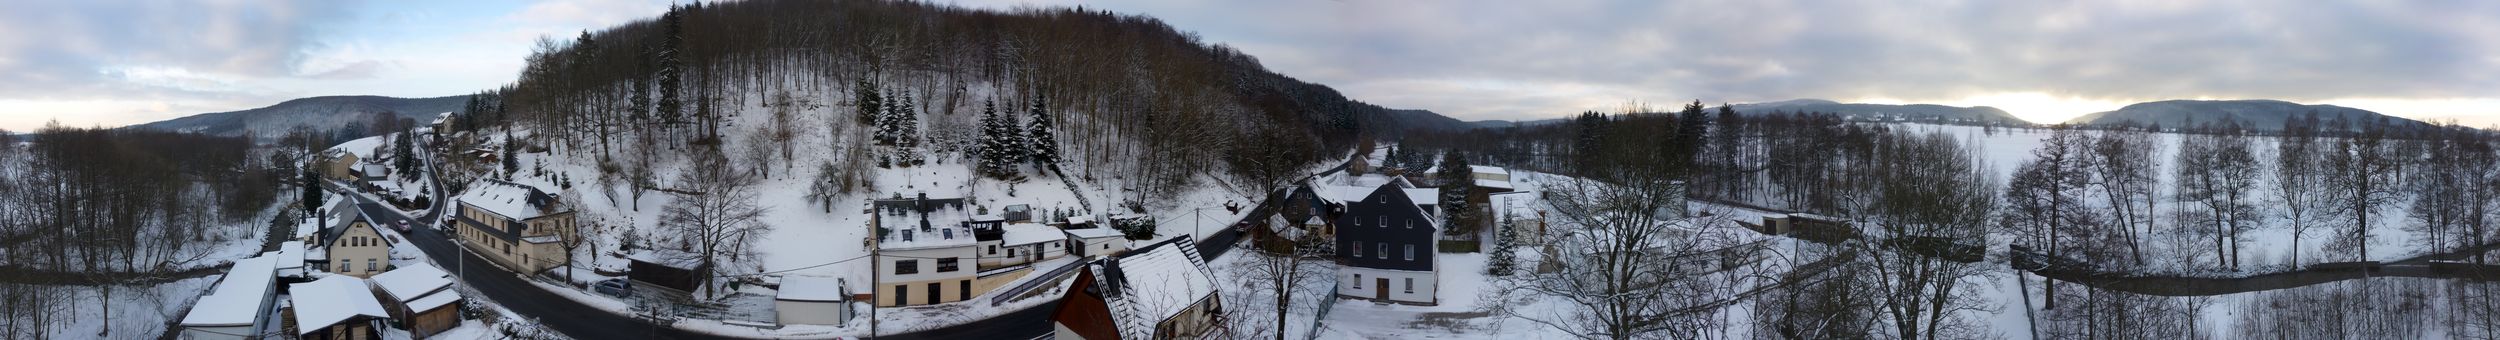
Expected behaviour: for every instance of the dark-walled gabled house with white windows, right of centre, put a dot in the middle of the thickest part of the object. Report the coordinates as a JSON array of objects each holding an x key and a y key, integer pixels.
[{"x": 1386, "y": 244}]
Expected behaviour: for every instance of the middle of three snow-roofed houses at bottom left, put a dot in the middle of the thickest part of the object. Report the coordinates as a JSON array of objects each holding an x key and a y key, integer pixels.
[{"x": 336, "y": 309}]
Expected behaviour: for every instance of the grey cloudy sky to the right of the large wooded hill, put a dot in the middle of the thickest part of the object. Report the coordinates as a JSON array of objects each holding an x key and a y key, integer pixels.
[{"x": 1549, "y": 54}]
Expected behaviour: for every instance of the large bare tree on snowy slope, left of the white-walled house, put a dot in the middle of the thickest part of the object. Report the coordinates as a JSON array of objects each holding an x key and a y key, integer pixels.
[{"x": 716, "y": 211}]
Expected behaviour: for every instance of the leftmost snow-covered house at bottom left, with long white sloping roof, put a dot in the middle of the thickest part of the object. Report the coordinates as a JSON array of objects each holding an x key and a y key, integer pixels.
[{"x": 239, "y": 306}]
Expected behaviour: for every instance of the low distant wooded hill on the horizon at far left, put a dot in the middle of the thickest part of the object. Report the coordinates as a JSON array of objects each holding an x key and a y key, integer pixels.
[{"x": 331, "y": 114}]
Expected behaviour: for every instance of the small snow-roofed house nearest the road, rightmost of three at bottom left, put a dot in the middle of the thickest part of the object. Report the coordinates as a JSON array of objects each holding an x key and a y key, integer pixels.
[{"x": 421, "y": 296}]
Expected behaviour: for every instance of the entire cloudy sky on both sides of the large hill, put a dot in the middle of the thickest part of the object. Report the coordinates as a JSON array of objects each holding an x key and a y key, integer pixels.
[{"x": 111, "y": 64}]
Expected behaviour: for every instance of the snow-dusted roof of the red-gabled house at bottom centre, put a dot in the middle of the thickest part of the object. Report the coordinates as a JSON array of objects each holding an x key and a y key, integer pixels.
[{"x": 1159, "y": 284}]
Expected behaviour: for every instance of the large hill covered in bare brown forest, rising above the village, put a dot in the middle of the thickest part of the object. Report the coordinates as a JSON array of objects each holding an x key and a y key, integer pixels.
[{"x": 1124, "y": 89}]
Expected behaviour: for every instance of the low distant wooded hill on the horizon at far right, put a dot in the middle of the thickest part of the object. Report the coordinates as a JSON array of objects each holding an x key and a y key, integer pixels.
[{"x": 2249, "y": 114}]
